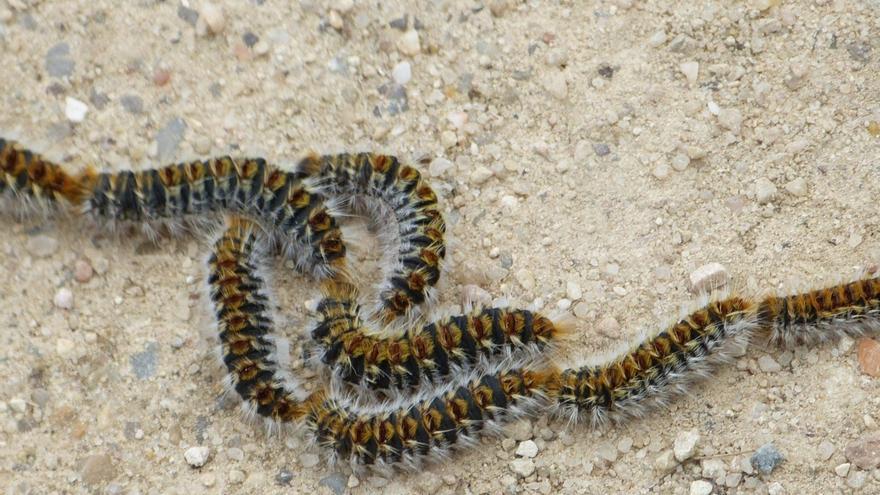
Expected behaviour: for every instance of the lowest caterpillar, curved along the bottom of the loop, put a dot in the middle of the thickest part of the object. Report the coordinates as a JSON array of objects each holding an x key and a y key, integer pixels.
[{"x": 430, "y": 426}]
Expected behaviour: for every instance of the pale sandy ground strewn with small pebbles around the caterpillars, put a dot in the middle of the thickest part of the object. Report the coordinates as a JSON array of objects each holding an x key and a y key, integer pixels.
[{"x": 607, "y": 148}]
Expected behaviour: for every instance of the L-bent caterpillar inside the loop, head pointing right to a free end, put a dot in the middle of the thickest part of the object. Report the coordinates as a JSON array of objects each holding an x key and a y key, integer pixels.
[{"x": 424, "y": 355}]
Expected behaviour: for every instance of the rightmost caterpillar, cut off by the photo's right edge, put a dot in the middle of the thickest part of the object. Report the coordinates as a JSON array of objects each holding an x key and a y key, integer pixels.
[{"x": 825, "y": 314}]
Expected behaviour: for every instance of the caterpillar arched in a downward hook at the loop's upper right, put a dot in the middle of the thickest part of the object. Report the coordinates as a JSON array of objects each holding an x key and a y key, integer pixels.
[{"x": 416, "y": 267}]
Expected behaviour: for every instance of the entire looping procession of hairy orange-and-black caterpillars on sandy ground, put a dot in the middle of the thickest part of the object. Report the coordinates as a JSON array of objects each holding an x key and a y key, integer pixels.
[{"x": 438, "y": 386}]
